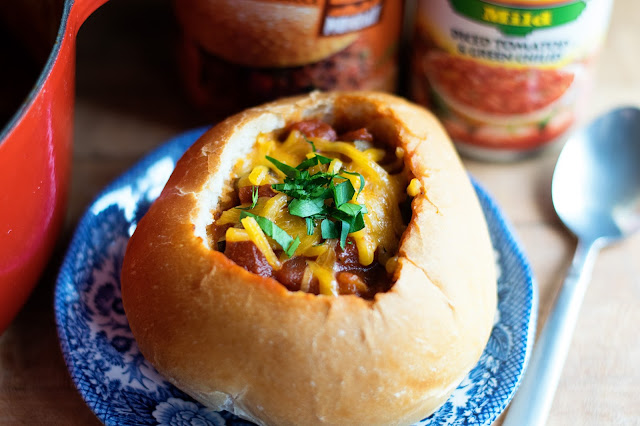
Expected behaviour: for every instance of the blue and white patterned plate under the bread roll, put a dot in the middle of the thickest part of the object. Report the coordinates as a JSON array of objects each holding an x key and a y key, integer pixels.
[{"x": 121, "y": 387}]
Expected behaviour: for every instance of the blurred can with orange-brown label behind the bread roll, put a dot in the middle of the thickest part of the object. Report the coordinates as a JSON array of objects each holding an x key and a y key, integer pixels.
[{"x": 237, "y": 53}]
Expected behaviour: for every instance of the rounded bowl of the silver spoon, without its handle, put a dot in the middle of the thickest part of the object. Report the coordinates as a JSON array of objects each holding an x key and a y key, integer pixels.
[{"x": 596, "y": 182}]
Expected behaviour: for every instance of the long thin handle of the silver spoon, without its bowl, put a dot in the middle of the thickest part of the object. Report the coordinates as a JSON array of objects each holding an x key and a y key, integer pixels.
[{"x": 531, "y": 405}]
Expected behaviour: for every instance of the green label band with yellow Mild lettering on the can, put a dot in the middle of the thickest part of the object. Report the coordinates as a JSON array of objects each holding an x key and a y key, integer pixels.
[{"x": 518, "y": 21}]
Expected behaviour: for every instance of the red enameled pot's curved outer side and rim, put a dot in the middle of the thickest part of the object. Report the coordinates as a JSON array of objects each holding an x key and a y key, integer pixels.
[{"x": 35, "y": 160}]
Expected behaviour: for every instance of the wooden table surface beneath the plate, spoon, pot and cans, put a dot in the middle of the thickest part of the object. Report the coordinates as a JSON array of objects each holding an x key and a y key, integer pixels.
[{"x": 129, "y": 100}]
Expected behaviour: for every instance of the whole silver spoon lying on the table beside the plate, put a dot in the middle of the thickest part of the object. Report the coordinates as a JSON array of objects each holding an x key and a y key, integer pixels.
[{"x": 596, "y": 193}]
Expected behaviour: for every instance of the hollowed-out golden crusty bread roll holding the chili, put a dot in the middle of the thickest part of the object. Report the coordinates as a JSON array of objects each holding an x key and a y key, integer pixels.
[{"x": 244, "y": 343}]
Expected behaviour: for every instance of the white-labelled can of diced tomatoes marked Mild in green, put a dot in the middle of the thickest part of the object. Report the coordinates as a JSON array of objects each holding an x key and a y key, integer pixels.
[{"x": 506, "y": 78}]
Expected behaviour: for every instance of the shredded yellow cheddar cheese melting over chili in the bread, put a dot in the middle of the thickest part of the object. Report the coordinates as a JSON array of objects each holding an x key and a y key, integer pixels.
[{"x": 381, "y": 195}]
